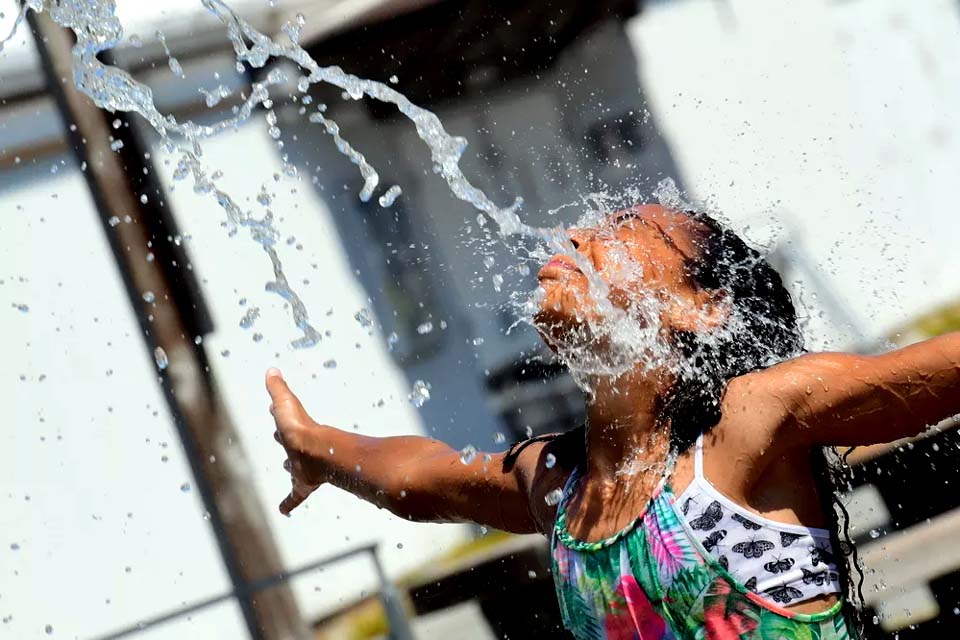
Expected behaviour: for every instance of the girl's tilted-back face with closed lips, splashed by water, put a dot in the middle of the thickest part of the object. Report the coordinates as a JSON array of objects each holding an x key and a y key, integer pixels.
[{"x": 641, "y": 254}]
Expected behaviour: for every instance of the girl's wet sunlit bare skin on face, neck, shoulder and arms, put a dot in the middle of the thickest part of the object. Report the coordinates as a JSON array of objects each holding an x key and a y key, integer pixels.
[{"x": 758, "y": 454}]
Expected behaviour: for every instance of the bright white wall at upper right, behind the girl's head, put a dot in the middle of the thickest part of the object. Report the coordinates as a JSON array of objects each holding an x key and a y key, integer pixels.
[{"x": 836, "y": 118}]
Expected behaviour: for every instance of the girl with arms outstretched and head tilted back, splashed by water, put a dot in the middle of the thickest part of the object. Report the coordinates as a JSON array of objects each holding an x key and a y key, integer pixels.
[{"x": 690, "y": 504}]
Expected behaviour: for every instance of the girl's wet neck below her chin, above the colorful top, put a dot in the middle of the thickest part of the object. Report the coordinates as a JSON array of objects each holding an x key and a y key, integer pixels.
[{"x": 625, "y": 437}]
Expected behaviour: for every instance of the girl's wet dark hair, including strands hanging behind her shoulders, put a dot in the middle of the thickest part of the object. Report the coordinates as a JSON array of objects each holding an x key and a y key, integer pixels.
[{"x": 766, "y": 331}]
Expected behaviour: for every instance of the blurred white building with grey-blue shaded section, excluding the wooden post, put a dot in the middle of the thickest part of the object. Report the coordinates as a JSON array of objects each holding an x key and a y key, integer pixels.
[{"x": 823, "y": 128}]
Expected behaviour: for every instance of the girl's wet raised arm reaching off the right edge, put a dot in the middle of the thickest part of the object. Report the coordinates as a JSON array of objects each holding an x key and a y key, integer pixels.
[{"x": 852, "y": 400}]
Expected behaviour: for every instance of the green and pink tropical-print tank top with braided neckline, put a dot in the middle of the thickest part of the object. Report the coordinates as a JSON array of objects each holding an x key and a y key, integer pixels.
[{"x": 654, "y": 581}]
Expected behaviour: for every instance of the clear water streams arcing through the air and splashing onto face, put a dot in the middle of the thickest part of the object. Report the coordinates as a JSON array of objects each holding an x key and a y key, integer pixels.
[{"x": 630, "y": 336}]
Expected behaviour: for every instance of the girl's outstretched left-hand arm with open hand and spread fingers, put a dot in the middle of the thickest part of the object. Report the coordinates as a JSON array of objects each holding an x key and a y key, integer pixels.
[{"x": 414, "y": 477}]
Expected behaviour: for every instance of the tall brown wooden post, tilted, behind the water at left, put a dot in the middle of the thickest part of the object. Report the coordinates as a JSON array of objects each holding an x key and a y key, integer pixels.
[{"x": 169, "y": 322}]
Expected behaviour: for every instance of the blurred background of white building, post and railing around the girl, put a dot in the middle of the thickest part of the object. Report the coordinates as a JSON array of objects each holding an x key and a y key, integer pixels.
[{"x": 138, "y": 488}]
